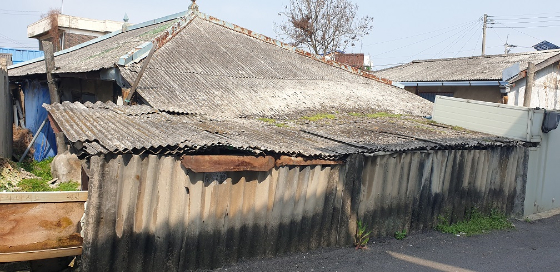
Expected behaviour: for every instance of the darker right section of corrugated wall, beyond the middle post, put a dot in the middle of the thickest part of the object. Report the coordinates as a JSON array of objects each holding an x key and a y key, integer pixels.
[{"x": 408, "y": 191}]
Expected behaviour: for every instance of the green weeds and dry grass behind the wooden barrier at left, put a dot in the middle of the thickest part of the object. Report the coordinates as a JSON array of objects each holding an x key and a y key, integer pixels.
[{"x": 35, "y": 177}]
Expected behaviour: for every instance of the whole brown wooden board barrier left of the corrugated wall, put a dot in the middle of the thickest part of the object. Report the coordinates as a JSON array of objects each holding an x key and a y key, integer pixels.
[{"x": 36, "y": 225}]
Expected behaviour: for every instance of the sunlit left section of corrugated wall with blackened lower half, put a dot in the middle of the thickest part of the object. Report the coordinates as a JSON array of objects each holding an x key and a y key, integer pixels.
[{"x": 148, "y": 213}]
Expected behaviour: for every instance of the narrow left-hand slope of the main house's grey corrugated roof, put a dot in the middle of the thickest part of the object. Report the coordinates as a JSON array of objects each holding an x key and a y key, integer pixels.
[{"x": 96, "y": 56}]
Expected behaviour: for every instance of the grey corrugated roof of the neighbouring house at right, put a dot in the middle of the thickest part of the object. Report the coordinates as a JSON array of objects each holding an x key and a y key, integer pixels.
[{"x": 463, "y": 69}]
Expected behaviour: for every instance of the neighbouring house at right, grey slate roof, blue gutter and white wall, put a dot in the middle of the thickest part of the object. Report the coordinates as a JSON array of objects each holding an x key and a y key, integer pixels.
[{"x": 486, "y": 78}]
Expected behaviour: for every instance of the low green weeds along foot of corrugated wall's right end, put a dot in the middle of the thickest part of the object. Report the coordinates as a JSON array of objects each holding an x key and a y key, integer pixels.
[{"x": 476, "y": 223}]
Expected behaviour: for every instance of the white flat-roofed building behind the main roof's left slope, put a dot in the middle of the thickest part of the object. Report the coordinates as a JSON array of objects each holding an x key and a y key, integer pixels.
[{"x": 69, "y": 30}]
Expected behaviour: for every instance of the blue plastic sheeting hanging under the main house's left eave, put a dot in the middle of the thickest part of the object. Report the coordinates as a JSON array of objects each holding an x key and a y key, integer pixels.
[{"x": 35, "y": 95}]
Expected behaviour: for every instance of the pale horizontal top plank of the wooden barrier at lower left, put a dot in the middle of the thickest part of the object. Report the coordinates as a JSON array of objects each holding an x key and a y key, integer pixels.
[{"x": 43, "y": 197}]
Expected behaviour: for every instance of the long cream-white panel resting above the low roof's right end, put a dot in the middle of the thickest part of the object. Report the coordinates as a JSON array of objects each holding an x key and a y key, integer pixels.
[{"x": 498, "y": 119}]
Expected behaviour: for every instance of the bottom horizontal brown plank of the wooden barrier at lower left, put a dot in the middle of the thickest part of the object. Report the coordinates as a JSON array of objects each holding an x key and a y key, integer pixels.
[{"x": 39, "y": 254}]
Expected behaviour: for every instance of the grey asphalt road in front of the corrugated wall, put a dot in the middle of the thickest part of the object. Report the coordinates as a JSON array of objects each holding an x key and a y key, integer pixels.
[{"x": 531, "y": 246}]
